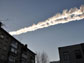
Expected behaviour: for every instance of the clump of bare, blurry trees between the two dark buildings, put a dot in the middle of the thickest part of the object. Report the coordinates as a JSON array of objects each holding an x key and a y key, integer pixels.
[{"x": 42, "y": 58}]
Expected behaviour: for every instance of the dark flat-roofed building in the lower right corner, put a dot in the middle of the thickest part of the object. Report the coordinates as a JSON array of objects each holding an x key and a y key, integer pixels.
[{"x": 72, "y": 54}]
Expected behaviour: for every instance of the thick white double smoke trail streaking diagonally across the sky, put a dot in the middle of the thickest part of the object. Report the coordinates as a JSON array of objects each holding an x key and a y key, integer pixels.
[{"x": 73, "y": 14}]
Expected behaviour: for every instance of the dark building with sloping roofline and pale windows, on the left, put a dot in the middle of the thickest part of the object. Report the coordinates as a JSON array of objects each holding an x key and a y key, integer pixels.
[{"x": 13, "y": 51}]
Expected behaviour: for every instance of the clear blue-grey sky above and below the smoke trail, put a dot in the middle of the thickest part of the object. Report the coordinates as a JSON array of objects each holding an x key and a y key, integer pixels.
[{"x": 24, "y": 13}]
